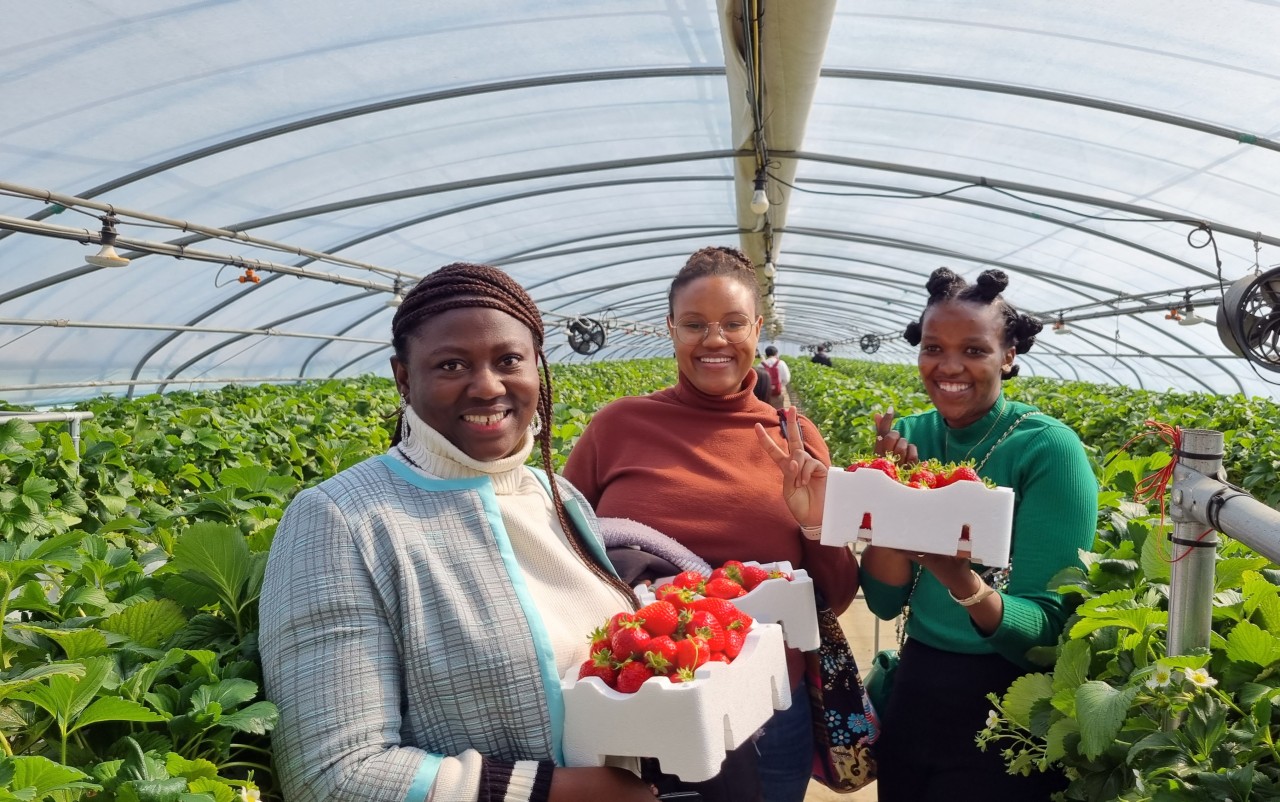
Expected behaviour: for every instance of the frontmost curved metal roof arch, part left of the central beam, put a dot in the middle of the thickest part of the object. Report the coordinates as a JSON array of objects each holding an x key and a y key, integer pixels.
[{"x": 386, "y": 106}]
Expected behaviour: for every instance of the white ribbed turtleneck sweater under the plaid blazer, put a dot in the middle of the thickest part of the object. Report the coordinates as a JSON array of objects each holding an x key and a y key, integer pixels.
[{"x": 570, "y": 597}]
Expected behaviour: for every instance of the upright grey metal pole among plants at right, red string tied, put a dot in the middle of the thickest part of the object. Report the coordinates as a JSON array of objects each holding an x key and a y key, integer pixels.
[{"x": 1191, "y": 602}]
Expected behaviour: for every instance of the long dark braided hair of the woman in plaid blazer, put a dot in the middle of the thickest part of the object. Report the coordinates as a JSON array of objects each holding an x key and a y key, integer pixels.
[{"x": 467, "y": 286}]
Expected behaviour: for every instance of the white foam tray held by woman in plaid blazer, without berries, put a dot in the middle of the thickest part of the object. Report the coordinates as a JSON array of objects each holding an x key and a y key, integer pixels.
[{"x": 689, "y": 727}]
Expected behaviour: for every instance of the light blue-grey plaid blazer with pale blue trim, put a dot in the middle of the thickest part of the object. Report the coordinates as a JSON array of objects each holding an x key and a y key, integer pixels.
[{"x": 396, "y": 630}]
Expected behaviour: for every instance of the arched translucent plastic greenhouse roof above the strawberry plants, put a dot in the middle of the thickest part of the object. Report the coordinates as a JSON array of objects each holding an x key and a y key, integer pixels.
[{"x": 1104, "y": 155}]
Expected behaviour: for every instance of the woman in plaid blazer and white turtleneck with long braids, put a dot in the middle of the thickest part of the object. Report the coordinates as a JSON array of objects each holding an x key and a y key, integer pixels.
[{"x": 406, "y": 664}]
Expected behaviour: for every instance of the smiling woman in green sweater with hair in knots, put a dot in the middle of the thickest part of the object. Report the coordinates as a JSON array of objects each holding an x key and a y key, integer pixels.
[{"x": 970, "y": 630}]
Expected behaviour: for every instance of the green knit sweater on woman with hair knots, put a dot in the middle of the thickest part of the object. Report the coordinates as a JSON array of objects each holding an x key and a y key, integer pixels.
[{"x": 1055, "y": 516}]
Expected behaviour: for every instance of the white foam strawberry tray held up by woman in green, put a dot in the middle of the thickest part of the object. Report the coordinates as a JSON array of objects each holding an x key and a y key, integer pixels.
[{"x": 961, "y": 520}]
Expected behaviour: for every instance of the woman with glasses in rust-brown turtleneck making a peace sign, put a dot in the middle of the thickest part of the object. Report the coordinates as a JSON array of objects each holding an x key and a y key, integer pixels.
[{"x": 688, "y": 461}]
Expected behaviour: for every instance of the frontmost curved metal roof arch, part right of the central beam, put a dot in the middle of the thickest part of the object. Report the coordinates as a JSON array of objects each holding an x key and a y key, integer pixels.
[{"x": 1058, "y": 98}]
